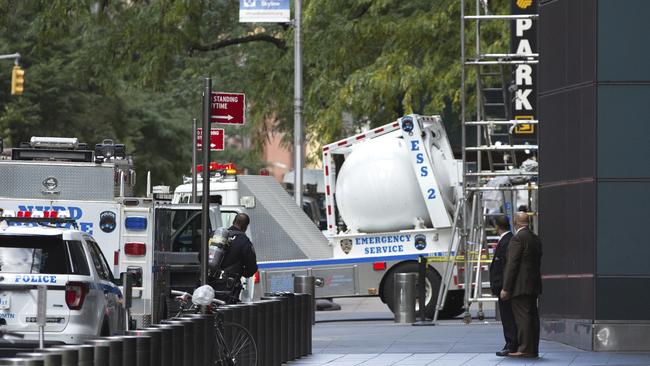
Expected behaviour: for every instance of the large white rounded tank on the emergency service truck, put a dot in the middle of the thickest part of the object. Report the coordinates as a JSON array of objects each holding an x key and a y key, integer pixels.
[{"x": 377, "y": 189}]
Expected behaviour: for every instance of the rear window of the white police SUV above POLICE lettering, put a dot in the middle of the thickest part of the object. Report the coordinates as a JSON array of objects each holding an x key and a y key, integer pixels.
[{"x": 33, "y": 254}]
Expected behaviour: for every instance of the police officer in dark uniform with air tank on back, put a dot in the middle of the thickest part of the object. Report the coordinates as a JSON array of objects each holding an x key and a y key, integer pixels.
[{"x": 238, "y": 261}]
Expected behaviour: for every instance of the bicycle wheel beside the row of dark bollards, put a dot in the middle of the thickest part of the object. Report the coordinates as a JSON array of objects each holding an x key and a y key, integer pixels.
[{"x": 236, "y": 346}]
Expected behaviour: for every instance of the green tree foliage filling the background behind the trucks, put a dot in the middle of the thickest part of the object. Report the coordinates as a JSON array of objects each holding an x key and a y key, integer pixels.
[{"x": 133, "y": 70}]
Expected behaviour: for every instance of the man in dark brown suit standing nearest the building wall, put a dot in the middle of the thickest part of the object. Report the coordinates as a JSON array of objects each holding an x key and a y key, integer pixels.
[{"x": 522, "y": 284}]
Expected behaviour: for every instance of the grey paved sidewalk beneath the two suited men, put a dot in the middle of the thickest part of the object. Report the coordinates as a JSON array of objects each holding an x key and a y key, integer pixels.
[{"x": 382, "y": 342}]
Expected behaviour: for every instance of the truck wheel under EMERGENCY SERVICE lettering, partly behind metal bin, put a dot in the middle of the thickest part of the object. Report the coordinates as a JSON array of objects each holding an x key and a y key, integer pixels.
[{"x": 432, "y": 285}]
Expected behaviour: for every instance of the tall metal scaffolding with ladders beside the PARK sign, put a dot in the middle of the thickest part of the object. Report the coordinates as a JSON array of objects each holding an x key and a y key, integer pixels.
[{"x": 492, "y": 124}]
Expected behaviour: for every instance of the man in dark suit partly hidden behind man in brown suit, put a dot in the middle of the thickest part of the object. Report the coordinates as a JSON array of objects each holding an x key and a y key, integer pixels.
[{"x": 496, "y": 285}]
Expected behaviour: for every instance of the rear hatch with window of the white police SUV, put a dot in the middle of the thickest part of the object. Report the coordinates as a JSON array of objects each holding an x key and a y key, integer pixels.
[{"x": 27, "y": 261}]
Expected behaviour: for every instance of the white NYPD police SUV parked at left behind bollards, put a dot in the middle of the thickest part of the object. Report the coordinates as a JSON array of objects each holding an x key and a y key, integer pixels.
[{"x": 83, "y": 300}]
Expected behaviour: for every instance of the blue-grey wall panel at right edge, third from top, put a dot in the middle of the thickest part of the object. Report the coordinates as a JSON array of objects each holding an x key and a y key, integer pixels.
[{"x": 622, "y": 234}]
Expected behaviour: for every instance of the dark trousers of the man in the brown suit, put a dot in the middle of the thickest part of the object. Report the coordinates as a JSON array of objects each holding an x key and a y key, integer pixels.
[{"x": 524, "y": 308}]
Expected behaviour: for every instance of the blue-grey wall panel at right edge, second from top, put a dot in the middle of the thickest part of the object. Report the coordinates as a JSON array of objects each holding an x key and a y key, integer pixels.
[{"x": 623, "y": 131}]
